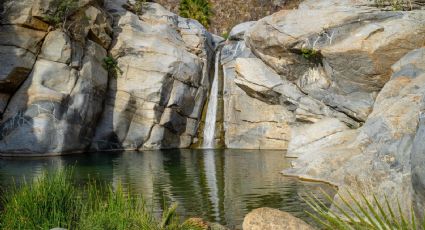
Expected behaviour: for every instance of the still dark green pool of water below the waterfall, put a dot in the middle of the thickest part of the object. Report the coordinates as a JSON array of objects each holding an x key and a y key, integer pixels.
[{"x": 218, "y": 185}]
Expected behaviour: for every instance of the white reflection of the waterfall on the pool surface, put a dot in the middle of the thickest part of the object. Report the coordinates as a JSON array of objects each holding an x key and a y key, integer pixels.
[{"x": 211, "y": 176}]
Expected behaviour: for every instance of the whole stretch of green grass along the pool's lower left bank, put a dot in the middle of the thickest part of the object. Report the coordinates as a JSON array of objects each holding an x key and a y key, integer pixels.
[{"x": 54, "y": 201}]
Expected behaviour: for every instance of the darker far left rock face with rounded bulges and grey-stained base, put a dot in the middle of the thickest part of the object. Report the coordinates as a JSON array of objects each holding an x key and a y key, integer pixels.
[{"x": 52, "y": 82}]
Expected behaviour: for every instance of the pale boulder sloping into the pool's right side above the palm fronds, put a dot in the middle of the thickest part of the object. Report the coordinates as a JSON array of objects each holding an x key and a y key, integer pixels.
[{"x": 385, "y": 157}]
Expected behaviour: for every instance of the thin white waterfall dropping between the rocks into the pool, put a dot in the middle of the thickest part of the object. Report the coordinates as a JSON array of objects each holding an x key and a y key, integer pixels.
[{"x": 209, "y": 129}]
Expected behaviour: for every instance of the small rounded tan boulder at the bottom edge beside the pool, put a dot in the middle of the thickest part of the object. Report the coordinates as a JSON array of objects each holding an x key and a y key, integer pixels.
[{"x": 272, "y": 219}]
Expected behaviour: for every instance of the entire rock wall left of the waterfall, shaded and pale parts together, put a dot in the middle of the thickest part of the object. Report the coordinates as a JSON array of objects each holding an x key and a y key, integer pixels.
[{"x": 56, "y": 96}]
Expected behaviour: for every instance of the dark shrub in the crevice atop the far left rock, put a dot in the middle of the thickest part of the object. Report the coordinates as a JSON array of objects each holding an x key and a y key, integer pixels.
[{"x": 61, "y": 10}]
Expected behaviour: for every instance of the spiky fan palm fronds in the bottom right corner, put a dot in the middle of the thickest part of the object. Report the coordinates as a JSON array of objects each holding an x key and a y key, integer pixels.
[{"x": 362, "y": 213}]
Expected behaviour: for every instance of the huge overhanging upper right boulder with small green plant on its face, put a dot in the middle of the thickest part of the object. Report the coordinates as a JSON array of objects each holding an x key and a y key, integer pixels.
[{"x": 340, "y": 54}]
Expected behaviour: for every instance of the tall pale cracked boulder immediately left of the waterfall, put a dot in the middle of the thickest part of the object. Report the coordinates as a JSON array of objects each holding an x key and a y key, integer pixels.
[{"x": 156, "y": 100}]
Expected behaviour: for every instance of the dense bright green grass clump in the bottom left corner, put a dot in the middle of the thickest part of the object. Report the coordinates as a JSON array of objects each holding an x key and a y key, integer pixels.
[{"x": 48, "y": 202}]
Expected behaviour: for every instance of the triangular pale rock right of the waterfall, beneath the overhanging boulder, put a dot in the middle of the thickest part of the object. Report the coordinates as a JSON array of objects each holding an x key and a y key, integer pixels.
[{"x": 262, "y": 109}]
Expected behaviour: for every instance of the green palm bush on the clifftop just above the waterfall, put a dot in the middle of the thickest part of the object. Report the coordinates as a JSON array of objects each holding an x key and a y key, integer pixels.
[{"x": 199, "y": 10}]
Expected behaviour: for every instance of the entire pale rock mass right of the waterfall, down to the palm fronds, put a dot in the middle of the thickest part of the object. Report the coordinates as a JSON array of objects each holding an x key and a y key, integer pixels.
[{"x": 338, "y": 85}]
